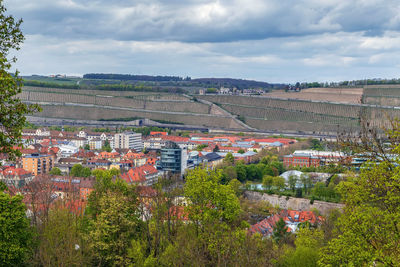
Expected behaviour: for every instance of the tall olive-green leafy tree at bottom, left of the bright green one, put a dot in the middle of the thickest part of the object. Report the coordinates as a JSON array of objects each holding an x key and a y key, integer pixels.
[{"x": 111, "y": 220}]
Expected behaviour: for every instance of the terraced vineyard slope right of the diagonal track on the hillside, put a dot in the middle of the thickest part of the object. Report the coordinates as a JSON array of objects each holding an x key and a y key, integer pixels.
[{"x": 296, "y": 115}]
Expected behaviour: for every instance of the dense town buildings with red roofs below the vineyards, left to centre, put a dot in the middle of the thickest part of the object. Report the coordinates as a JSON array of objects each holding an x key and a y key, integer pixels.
[{"x": 141, "y": 160}]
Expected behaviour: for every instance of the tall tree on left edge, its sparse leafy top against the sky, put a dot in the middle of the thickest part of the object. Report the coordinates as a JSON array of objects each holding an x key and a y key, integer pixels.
[{"x": 12, "y": 110}]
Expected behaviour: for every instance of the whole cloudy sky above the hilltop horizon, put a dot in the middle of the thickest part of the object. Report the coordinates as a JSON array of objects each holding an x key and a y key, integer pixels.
[{"x": 277, "y": 41}]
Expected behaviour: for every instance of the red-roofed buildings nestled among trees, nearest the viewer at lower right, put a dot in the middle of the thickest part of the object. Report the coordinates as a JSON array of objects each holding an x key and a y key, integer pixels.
[{"x": 292, "y": 219}]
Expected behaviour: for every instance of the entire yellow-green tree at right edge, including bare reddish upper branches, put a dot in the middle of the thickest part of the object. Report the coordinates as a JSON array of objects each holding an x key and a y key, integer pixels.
[{"x": 367, "y": 233}]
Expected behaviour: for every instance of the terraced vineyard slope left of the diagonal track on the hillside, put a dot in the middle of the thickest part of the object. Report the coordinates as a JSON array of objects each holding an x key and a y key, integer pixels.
[{"x": 98, "y": 105}]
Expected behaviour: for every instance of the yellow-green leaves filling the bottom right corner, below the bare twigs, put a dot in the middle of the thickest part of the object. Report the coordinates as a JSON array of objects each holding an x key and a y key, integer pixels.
[{"x": 368, "y": 231}]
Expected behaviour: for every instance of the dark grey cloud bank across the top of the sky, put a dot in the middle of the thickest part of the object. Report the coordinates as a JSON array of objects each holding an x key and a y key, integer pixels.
[{"x": 202, "y": 20}]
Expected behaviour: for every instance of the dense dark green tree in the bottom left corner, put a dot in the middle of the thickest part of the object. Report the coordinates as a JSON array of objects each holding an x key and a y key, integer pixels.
[{"x": 15, "y": 232}]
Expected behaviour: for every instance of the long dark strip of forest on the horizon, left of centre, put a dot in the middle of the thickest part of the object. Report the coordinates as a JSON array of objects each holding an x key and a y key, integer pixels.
[{"x": 129, "y": 77}]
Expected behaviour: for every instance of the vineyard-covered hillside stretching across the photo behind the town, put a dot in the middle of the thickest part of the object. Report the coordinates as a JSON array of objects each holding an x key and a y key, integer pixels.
[{"x": 312, "y": 111}]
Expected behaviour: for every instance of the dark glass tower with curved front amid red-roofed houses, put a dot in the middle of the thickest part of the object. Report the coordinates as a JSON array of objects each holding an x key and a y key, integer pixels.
[{"x": 171, "y": 158}]
